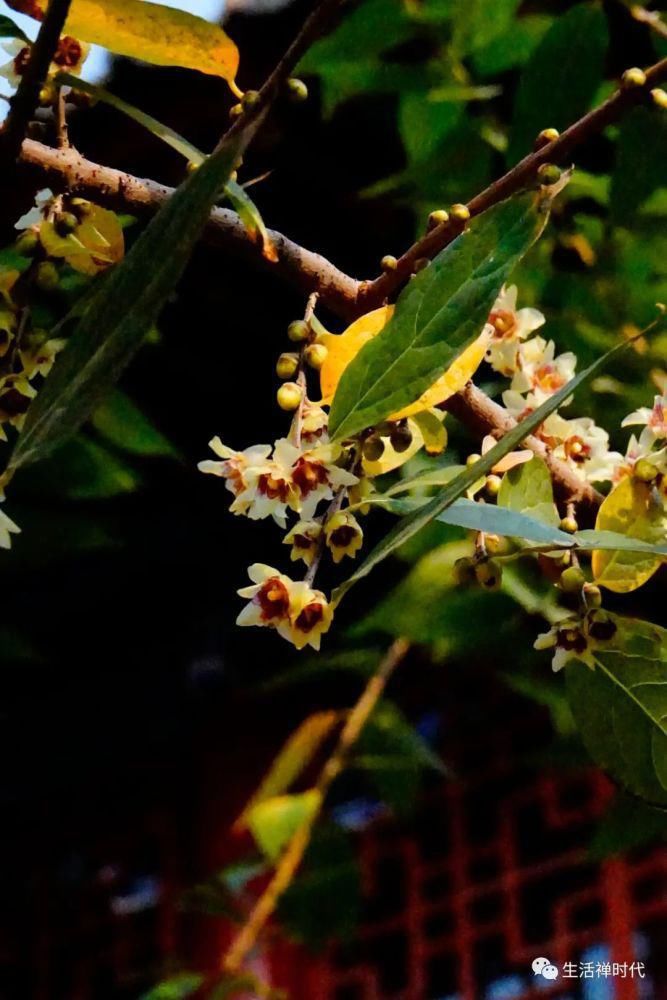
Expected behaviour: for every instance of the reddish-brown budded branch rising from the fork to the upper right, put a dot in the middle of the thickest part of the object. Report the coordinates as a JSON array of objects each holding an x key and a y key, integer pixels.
[{"x": 522, "y": 175}]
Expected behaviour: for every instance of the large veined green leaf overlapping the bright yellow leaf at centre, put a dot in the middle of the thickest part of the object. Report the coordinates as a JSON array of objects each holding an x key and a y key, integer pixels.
[{"x": 437, "y": 316}]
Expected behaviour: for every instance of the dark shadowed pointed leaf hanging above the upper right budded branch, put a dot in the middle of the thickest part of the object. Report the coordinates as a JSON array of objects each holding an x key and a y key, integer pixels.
[{"x": 561, "y": 78}]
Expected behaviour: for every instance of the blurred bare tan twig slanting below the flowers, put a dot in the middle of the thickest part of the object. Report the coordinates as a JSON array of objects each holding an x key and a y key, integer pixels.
[{"x": 290, "y": 861}]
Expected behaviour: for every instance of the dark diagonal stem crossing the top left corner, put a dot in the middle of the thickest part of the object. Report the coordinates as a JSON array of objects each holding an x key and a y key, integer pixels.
[{"x": 24, "y": 102}]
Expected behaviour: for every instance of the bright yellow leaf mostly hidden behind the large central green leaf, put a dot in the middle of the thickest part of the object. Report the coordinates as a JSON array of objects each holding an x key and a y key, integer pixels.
[{"x": 344, "y": 347}]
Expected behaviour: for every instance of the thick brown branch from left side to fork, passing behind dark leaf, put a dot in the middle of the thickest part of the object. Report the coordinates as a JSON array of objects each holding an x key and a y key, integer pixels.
[{"x": 66, "y": 168}]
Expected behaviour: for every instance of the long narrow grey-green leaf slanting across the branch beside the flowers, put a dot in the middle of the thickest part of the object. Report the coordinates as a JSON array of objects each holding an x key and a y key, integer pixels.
[{"x": 413, "y": 523}]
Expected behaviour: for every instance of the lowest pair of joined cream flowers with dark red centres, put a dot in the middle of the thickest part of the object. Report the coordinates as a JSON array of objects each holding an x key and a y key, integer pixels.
[{"x": 299, "y": 614}]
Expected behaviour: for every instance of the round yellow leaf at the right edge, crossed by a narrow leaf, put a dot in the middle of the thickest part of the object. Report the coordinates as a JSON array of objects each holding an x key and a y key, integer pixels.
[{"x": 631, "y": 510}]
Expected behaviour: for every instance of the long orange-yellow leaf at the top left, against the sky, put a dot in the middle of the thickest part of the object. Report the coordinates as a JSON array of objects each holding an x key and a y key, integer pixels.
[{"x": 150, "y": 32}]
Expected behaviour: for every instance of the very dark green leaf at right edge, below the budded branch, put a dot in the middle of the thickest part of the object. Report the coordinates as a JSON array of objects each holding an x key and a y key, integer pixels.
[{"x": 641, "y": 154}]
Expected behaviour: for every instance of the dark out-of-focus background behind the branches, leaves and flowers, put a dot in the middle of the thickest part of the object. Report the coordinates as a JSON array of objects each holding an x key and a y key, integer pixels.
[{"x": 136, "y": 719}]
